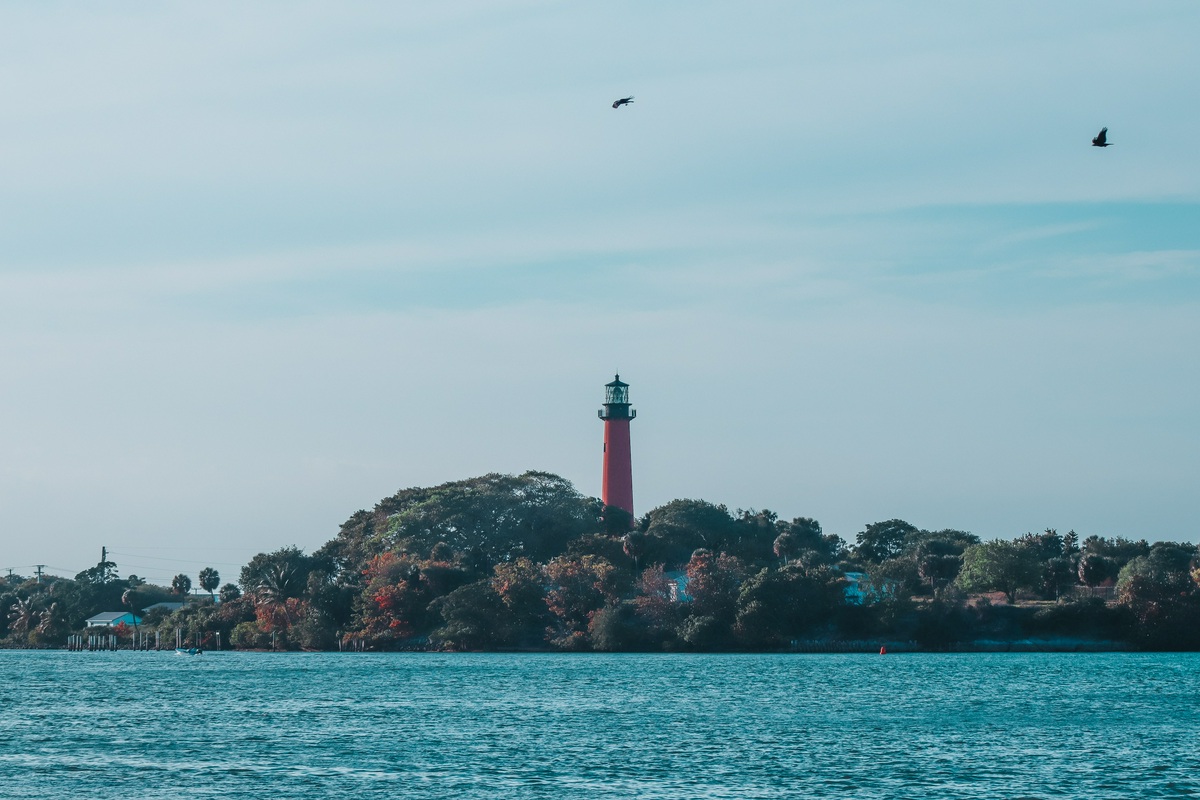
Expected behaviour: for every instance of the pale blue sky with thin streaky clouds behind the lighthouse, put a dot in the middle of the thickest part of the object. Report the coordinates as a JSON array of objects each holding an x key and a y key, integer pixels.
[{"x": 266, "y": 264}]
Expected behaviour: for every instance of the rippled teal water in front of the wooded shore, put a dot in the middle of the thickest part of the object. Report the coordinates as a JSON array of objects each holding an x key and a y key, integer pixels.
[{"x": 248, "y": 726}]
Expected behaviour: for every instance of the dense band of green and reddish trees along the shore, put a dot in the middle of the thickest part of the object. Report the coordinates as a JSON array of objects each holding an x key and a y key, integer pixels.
[{"x": 526, "y": 562}]
